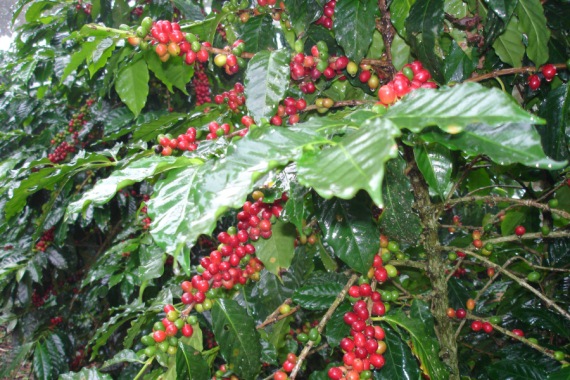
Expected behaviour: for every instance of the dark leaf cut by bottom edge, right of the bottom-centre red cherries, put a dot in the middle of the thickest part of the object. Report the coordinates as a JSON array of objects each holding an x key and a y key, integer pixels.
[{"x": 400, "y": 363}]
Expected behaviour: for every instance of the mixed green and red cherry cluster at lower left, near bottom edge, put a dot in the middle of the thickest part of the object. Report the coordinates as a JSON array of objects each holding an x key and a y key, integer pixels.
[{"x": 164, "y": 335}]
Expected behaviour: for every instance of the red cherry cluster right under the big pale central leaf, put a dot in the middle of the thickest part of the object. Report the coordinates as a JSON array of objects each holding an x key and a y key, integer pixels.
[{"x": 255, "y": 217}]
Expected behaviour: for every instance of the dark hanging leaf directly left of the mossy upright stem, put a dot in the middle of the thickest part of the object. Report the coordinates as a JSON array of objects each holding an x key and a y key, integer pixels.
[{"x": 398, "y": 220}]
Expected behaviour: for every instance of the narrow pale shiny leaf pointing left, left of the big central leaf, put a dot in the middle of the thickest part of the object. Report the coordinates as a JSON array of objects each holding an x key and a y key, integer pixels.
[{"x": 138, "y": 171}]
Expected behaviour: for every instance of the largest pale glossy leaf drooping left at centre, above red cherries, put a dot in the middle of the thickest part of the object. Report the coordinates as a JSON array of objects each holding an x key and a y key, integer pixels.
[{"x": 189, "y": 201}]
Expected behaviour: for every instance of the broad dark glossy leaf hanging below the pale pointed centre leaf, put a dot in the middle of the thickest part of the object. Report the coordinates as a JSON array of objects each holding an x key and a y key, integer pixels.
[{"x": 349, "y": 231}]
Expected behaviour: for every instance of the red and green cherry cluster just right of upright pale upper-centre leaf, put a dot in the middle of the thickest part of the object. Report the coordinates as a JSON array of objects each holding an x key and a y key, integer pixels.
[{"x": 313, "y": 66}]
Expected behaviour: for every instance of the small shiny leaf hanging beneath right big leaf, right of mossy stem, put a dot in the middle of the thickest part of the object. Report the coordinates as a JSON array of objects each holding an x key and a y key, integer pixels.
[{"x": 436, "y": 164}]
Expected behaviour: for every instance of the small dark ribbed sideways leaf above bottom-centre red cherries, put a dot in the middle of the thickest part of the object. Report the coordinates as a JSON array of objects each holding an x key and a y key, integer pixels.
[{"x": 320, "y": 291}]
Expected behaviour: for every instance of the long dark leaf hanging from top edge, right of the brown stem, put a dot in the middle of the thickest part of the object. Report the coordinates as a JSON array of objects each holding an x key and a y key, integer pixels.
[{"x": 423, "y": 27}]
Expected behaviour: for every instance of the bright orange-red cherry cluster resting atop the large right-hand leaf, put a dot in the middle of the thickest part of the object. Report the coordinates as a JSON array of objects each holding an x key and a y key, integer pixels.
[{"x": 412, "y": 77}]
